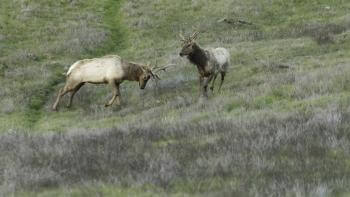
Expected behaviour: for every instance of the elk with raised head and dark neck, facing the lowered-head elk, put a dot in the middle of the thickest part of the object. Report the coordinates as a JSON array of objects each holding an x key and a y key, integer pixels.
[{"x": 209, "y": 62}]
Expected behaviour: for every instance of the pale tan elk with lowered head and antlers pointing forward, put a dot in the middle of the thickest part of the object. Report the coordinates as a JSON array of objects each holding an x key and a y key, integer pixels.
[{"x": 111, "y": 70}]
